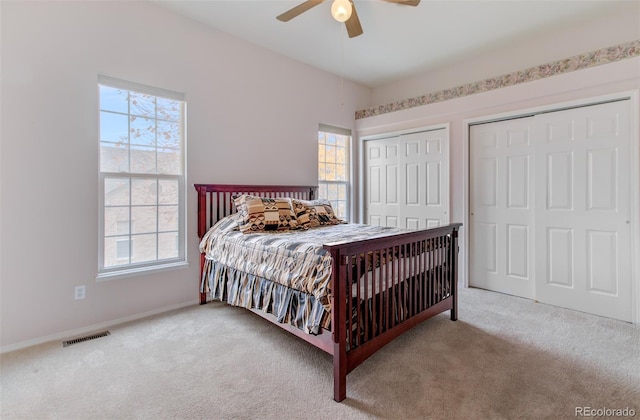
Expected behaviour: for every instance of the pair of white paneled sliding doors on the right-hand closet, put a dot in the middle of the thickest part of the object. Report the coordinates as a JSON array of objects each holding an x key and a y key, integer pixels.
[{"x": 550, "y": 208}]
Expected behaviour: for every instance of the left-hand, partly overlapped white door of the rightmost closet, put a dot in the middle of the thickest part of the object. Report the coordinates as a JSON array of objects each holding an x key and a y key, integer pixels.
[{"x": 501, "y": 207}]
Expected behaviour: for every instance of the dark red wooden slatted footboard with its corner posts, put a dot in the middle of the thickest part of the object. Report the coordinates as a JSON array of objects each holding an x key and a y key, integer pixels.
[{"x": 383, "y": 287}]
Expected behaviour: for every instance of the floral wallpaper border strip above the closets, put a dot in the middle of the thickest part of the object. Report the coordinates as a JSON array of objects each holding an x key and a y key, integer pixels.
[{"x": 554, "y": 68}]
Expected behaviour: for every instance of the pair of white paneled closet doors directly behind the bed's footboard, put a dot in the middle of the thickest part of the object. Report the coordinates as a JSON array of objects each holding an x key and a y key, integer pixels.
[{"x": 407, "y": 180}]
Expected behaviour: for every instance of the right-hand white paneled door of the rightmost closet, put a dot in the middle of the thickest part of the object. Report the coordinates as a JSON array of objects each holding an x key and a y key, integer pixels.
[{"x": 583, "y": 229}]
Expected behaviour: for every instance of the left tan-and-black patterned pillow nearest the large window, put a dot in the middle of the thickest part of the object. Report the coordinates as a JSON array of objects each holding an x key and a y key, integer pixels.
[{"x": 265, "y": 214}]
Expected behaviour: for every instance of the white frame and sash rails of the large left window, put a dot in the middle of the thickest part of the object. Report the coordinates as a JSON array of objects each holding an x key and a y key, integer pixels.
[{"x": 132, "y": 269}]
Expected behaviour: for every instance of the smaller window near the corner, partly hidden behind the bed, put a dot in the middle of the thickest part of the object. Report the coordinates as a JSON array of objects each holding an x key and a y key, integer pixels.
[{"x": 333, "y": 167}]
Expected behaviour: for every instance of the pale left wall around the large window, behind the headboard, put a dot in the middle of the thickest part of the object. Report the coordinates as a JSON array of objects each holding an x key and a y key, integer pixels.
[{"x": 252, "y": 118}]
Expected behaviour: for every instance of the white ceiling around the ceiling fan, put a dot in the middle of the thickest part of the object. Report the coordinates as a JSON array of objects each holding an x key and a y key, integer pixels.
[{"x": 398, "y": 41}]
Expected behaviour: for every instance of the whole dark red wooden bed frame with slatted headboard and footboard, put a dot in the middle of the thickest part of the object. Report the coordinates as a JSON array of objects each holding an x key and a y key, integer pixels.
[{"x": 407, "y": 293}]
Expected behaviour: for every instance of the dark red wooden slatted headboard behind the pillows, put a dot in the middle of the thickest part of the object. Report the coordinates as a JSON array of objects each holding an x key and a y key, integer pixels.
[{"x": 215, "y": 201}]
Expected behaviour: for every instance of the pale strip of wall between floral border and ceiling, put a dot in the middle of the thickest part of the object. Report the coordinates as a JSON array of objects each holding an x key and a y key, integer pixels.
[{"x": 620, "y": 25}]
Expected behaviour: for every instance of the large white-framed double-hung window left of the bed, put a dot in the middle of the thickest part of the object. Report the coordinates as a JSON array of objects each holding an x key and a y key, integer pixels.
[{"x": 142, "y": 166}]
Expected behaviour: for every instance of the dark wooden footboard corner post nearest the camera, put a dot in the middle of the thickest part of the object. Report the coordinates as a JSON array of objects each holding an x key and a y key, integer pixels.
[{"x": 338, "y": 322}]
